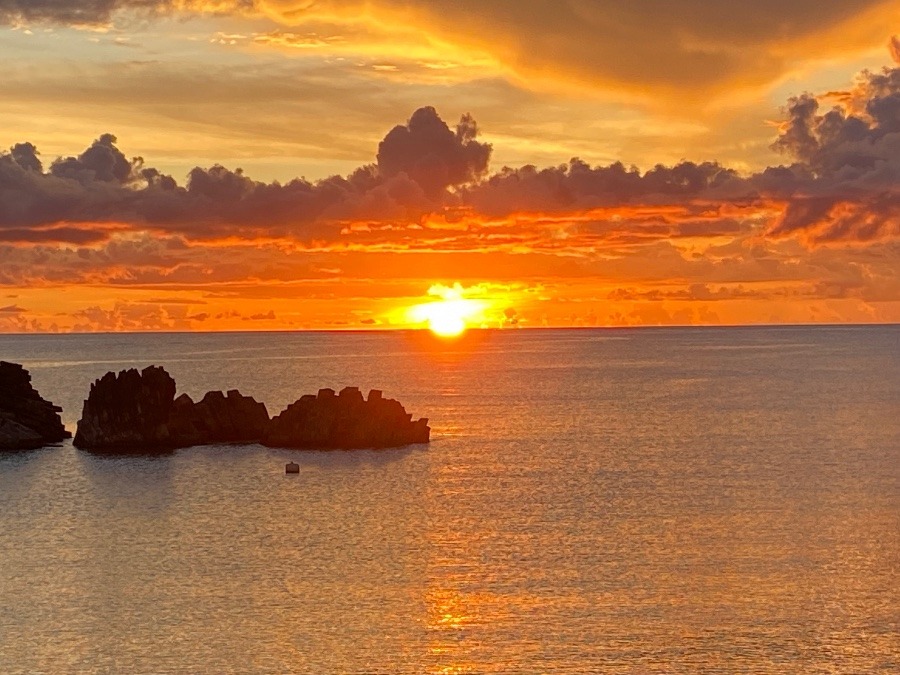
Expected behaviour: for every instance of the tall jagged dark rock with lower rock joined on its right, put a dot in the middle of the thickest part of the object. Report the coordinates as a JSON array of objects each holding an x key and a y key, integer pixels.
[{"x": 137, "y": 412}]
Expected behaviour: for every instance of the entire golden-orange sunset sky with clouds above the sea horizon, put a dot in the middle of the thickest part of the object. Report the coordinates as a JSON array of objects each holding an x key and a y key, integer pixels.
[{"x": 348, "y": 164}]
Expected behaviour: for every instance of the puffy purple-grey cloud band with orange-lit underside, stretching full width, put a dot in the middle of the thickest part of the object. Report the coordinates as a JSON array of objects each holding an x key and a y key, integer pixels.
[{"x": 430, "y": 179}]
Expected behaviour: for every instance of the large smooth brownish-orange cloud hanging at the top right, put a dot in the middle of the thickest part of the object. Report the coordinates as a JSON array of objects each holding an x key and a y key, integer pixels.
[{"x": 691, "y": 46}]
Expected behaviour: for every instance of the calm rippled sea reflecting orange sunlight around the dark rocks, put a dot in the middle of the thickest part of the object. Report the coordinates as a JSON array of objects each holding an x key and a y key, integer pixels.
[{"x": 593, "y": 501}]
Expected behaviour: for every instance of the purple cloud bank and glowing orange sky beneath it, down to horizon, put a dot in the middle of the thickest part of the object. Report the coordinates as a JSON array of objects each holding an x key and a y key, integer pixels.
[{"x": 97, "y": 241}]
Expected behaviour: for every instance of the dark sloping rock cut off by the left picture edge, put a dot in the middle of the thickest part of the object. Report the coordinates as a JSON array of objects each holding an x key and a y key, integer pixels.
[{"x": 27, "y": 421}]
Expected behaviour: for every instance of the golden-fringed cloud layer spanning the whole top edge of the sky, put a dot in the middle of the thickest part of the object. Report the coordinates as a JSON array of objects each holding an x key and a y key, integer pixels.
[{"x": 662, "y": 53}]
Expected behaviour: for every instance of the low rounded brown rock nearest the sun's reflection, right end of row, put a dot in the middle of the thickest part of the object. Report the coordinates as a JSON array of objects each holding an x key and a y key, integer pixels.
[{"x": 345, "y": 421}]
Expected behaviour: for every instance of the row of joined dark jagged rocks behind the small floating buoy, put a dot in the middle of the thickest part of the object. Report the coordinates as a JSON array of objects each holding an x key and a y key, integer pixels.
[{"x": 137, "y": 412}]
